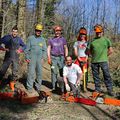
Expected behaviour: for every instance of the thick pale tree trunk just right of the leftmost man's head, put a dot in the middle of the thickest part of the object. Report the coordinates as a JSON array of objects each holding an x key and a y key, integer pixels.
[{"x": 21, "y": 18}]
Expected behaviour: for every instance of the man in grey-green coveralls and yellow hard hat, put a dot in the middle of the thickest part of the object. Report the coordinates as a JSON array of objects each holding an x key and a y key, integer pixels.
[{"x": 35, "y": 53}]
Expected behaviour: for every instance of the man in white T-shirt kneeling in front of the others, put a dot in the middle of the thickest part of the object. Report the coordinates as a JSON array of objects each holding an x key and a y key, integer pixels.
[{"x": 72, "y": 74}]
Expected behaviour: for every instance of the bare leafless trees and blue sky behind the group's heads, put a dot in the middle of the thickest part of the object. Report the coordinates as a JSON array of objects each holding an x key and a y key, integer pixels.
[{"x": 71, "y": 14}]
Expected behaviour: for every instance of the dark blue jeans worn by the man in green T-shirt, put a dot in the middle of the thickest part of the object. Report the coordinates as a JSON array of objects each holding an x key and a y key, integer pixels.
[{"x": 107, "y": 78}]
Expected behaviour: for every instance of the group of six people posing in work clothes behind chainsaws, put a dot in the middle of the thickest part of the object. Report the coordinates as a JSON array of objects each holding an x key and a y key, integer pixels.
[{"x": 62, "y": 65}]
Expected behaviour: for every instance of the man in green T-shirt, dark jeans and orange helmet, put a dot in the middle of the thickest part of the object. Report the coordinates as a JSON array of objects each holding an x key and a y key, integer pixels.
[{"x": 100, "y": 48}]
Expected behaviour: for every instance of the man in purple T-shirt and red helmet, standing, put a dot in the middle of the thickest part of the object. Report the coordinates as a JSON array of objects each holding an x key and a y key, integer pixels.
[{"x": 57, "y": 50}]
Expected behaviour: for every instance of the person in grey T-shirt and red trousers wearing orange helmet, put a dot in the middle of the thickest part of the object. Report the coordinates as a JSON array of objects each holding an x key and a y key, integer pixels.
[{"x": 80, "y": 46}]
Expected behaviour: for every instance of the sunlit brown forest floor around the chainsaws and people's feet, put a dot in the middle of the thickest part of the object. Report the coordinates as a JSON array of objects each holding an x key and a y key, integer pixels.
[{"x": 55, "y": 109}]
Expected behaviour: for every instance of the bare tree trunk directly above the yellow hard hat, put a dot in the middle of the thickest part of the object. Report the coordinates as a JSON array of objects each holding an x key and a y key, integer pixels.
[{"x": 40, "y": 8}]
